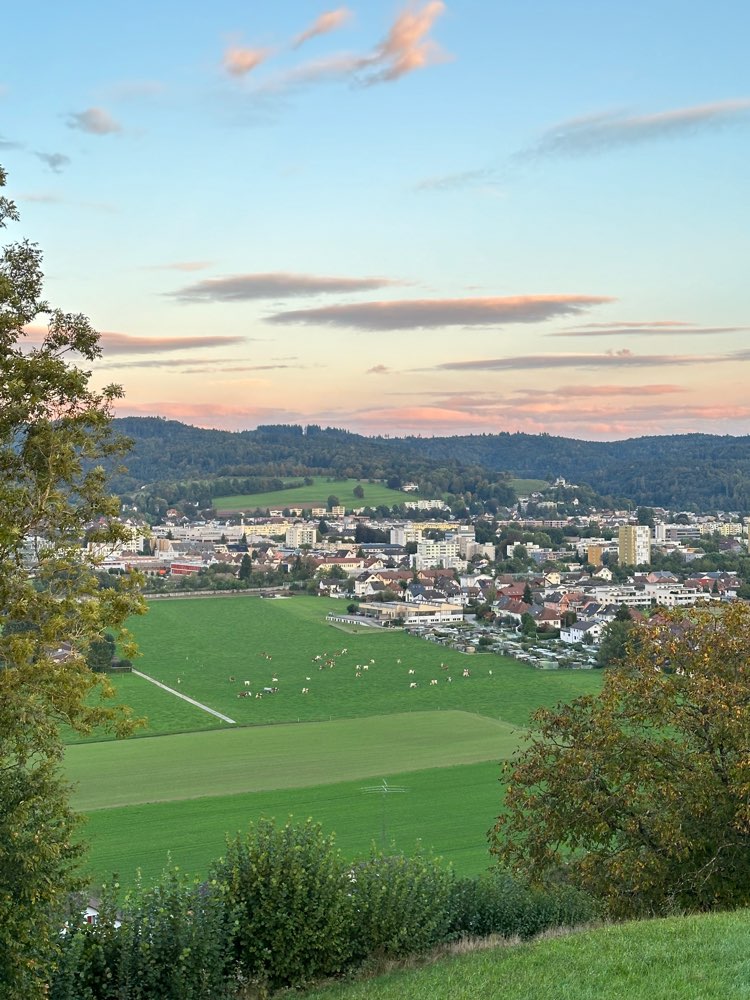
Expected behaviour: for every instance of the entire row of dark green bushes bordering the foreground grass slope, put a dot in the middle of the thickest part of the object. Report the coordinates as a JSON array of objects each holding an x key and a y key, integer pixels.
[{"x": 284, "y": 909}]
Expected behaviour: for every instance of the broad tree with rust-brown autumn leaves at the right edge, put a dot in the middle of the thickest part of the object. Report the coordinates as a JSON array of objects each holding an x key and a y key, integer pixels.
[{"x": 640, "y": 794}]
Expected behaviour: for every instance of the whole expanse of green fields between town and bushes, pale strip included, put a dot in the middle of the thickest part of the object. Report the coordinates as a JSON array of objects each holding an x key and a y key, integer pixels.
[{"x": 191, "y": 779}]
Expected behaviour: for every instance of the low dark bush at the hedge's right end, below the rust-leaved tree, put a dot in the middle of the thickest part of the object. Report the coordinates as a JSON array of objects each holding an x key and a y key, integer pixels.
[{"x": 497, "y": 903}]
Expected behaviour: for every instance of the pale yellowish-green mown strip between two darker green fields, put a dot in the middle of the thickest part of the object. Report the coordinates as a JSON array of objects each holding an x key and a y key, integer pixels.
[{"x": 221, "y": 762}]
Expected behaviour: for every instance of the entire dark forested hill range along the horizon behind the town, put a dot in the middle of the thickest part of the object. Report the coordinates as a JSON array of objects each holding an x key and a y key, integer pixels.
[{"x": 691, "y": 471}]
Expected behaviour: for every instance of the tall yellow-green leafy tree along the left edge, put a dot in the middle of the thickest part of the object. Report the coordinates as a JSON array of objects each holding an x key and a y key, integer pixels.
[{"x": 55, "y": 431}]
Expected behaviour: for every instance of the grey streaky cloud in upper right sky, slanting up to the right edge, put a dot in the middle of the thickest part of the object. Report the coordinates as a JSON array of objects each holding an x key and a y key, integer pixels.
[{"x": 601, "y": 132}]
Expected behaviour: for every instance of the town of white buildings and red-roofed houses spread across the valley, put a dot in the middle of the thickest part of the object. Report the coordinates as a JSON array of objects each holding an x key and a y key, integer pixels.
[{"x": 557, "y": 579}]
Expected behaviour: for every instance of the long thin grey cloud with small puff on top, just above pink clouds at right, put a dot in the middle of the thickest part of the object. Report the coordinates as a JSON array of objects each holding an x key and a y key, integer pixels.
[{"x": 612, "y": 359}]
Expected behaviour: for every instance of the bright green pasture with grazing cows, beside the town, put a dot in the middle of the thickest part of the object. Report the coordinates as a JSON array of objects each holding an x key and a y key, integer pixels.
[{"x": 207, "y": 649}]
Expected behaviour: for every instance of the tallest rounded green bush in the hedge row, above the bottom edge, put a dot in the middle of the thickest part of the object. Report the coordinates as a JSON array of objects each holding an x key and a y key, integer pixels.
[{"x": 290, "y": 892}]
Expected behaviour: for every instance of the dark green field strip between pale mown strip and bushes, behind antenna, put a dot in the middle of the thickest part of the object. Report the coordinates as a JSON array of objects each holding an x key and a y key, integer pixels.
[{"x": 448, "y": 810}]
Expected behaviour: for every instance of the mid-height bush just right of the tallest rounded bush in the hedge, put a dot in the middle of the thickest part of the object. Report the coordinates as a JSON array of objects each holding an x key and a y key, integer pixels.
[{"x": 402, "y": 905}]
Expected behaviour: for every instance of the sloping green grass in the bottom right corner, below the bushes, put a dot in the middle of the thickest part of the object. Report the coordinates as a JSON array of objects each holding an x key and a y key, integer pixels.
[{"x": 682, "y": 958}]
